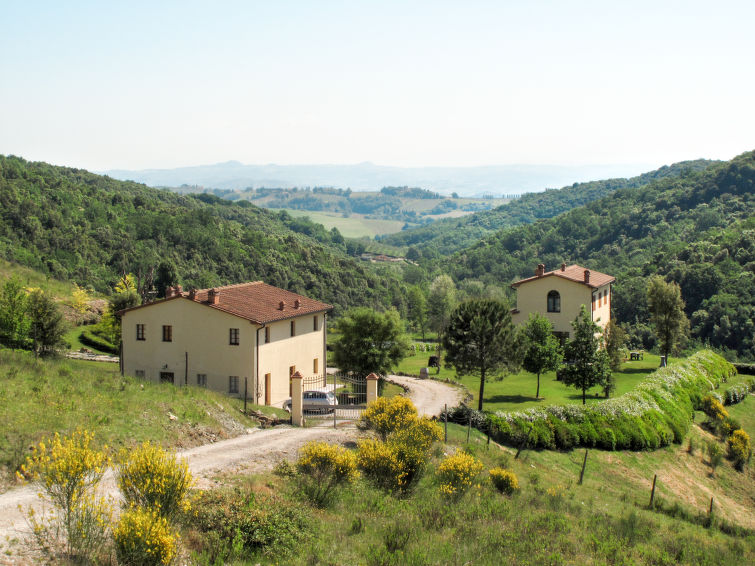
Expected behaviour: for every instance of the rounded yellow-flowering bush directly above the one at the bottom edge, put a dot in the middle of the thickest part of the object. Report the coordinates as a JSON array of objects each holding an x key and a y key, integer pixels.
[{"x": 148, "y": 476}]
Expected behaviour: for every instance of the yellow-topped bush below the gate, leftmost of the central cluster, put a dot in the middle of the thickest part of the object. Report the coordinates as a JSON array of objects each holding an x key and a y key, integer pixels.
[{"x": 323, "y": 467}]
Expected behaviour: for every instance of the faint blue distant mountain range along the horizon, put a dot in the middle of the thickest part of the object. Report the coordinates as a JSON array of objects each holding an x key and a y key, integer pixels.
[{"x": 466, "y": 181}]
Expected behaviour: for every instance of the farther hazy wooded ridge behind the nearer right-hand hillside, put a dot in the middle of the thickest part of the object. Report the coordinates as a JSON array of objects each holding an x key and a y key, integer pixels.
[{"x": 453, "y": 234}]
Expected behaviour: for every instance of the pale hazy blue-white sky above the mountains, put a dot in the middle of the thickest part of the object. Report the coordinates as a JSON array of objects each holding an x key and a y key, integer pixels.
[{"x": 164, "y": 84}]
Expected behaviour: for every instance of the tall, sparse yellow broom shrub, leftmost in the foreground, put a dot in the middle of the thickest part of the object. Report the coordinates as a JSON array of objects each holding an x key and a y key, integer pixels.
[{"x": 69, "y": 470}]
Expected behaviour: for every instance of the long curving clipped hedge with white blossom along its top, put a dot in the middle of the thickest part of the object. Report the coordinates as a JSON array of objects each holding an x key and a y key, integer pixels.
[{"x": 656, "y": 413}]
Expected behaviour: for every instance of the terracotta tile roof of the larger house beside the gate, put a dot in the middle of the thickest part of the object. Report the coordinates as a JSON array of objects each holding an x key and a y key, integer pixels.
[{"x": 255, "y": 301}]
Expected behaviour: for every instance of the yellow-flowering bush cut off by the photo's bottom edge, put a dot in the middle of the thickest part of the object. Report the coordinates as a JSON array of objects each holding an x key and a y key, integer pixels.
[{"x": 143, "y": 537}]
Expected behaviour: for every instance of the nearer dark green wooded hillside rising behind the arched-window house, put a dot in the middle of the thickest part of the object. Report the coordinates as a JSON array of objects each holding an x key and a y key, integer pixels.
[{"x": 697, "y": 230}]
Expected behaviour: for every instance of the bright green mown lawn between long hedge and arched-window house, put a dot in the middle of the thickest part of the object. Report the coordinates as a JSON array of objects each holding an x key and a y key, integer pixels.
[{"x": 517, "y": 391}]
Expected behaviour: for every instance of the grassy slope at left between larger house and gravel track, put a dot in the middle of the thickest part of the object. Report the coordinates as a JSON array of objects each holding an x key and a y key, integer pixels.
[{"x": 40, "y": 397}]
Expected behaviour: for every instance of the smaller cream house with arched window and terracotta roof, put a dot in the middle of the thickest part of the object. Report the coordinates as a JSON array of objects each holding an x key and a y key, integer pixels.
[{"x": 559, "y": 295}]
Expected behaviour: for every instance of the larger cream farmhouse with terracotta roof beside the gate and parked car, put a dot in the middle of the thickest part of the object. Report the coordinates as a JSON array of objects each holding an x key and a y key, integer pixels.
[{"x": 246, "y": 338}]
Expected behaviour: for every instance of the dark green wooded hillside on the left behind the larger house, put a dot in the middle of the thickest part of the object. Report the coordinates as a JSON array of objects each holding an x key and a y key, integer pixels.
[{"x": 91, "y": 229}]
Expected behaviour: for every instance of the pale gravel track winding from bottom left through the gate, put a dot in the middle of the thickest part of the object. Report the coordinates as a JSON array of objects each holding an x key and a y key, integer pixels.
[{"x": 255, "y": 452}]
